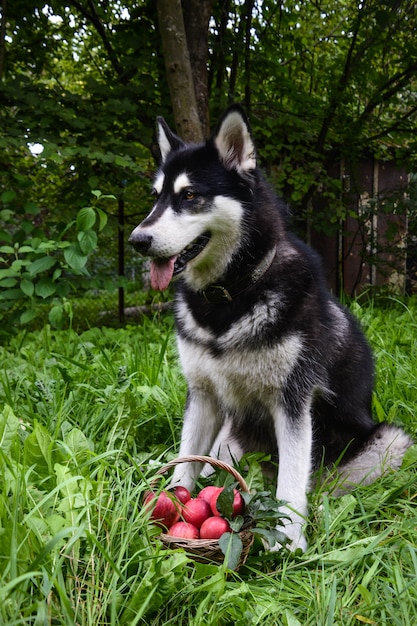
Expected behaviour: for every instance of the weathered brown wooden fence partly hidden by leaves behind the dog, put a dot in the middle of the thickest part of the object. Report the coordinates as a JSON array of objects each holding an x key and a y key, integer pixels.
[{"x": 370, "y": 247}]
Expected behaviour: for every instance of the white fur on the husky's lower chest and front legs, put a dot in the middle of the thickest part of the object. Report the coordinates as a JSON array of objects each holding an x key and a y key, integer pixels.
[{"x": 238, "y": 378}]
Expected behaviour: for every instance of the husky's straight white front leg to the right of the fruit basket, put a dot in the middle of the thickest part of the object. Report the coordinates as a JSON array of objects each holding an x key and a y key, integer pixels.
[{"x": 294, "y": 436}]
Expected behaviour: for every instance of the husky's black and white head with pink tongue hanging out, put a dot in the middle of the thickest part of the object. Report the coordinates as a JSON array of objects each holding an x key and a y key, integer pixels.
[{"x": 197, "y": 222}]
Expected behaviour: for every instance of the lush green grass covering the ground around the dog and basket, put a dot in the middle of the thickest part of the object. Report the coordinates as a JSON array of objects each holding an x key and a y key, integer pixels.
[{"x": 87, "y": 419}]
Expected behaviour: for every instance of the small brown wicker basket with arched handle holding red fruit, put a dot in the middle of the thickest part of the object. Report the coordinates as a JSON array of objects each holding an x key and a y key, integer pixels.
[{"x": 205, "y": 550}]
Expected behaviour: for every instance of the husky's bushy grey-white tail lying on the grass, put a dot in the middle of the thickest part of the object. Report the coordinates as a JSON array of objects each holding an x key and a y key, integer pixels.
[{"x": 383, "y": 451}]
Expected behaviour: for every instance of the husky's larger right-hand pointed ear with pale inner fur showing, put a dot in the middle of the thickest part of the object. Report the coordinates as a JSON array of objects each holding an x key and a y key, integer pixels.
[{"x": 234, "y": 141}]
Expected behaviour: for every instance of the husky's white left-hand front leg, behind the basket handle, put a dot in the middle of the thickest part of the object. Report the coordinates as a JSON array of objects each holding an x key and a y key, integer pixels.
[{"x": 202, "y": 422}]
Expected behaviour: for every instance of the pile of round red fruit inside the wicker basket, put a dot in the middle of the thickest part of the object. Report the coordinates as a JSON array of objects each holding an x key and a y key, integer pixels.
[{"x": 192, "y": 518}]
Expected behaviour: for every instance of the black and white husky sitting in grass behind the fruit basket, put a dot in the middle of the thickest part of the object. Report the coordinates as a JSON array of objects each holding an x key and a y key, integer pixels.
[{"x": 273, "y": 363}]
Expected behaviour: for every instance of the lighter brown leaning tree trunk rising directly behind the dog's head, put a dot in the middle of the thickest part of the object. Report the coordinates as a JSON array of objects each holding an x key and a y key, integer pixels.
[{"x": 178, "y": 66}]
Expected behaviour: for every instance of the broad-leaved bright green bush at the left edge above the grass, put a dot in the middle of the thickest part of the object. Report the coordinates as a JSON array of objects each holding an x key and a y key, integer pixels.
[{"x": 42, "y": 262}]
